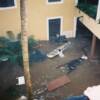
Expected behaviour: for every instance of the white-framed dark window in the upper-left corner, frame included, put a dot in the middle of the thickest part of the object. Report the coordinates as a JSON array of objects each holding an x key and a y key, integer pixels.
[{"x": 6, "y": 4}]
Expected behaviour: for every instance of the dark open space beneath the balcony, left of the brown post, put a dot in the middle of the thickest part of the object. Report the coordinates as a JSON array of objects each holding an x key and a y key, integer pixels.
[{"x": 84, "y": 37}]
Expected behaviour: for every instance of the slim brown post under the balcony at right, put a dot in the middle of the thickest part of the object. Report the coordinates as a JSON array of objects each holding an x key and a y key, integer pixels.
[{"x": 93, "y": 47}]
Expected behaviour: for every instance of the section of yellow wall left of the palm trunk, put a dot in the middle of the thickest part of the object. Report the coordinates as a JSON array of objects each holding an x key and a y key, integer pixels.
[{"x": 10, "y": 20}]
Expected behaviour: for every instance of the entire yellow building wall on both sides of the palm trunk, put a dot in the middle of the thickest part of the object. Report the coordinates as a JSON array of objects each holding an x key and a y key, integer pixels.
[{"x": 38, "y": 12}]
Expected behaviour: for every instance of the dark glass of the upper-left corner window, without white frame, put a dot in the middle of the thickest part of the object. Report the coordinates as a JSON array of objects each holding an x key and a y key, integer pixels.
[{"x": 7, "y": 3}]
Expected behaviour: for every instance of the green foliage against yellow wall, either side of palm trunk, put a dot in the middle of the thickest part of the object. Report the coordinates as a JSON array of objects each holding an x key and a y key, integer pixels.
[{"x": 13, "y": 50}]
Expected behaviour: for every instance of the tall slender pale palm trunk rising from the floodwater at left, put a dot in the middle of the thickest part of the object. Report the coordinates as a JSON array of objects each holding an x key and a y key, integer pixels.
[{"x": 24, "y": 40}]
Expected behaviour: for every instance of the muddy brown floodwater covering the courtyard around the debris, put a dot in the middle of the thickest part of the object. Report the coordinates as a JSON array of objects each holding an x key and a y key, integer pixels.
[{"x": 85, "y": 75}]
